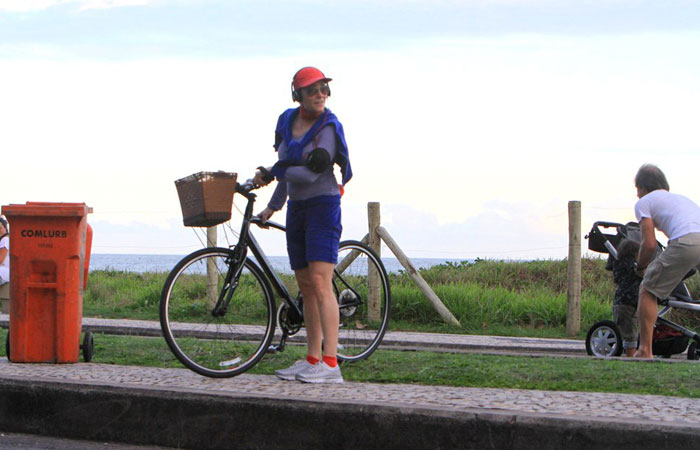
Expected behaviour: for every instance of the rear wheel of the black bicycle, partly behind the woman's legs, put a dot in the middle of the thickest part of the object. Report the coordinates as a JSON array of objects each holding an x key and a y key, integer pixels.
[{"x": 361, "y": 286}]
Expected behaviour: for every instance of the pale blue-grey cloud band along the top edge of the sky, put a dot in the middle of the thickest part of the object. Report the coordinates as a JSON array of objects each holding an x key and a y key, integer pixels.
[{"x": 107, "y": 29}]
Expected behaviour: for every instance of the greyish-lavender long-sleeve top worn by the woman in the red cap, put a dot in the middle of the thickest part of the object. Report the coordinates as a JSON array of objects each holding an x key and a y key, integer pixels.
[{"x": 299, "y": 182}]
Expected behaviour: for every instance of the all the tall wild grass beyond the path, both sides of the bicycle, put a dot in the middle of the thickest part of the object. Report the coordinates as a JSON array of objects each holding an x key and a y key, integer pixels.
[{"x": 486, "y": 296}]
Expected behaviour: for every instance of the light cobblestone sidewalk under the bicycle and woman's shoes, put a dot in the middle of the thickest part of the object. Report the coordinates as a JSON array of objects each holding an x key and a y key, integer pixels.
[{"x": 623, "y": 407}]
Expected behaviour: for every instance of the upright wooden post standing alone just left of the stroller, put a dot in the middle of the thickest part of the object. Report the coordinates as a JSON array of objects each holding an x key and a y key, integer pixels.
[{"x": 573, "y": 298}]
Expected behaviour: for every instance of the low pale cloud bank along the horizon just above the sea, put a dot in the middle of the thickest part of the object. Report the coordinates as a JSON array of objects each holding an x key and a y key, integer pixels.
[{"x": 510, "y": 231}]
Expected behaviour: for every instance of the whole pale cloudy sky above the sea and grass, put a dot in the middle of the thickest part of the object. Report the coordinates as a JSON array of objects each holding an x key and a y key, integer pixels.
[{"x": 473, "y": 123}]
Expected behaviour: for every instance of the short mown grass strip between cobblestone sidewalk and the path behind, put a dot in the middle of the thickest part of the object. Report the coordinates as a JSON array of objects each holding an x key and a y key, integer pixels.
[{"x": 461, "y": 370}]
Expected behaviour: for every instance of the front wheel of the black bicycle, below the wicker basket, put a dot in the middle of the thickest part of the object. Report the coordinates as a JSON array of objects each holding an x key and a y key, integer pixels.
[{"x": 221, "y": 342}]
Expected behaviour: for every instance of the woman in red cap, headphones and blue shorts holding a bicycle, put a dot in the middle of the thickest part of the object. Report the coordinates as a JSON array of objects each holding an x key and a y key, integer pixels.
[{"x": 309, "y": 139}]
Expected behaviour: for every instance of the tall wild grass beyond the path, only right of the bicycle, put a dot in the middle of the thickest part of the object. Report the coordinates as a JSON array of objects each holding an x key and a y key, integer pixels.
[{"x": 510, "y": 298}]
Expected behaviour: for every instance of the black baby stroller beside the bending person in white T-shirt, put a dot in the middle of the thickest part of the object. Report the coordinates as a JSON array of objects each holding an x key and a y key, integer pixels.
[{"x": 604, "y": 339}]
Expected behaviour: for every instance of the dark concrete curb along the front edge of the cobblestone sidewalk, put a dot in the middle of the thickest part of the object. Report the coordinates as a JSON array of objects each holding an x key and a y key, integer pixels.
[{"x": 198, "y": 420}]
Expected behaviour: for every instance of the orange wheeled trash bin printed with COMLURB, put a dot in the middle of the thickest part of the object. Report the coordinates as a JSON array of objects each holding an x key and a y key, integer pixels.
[{"x": 49, "y": 259}]
